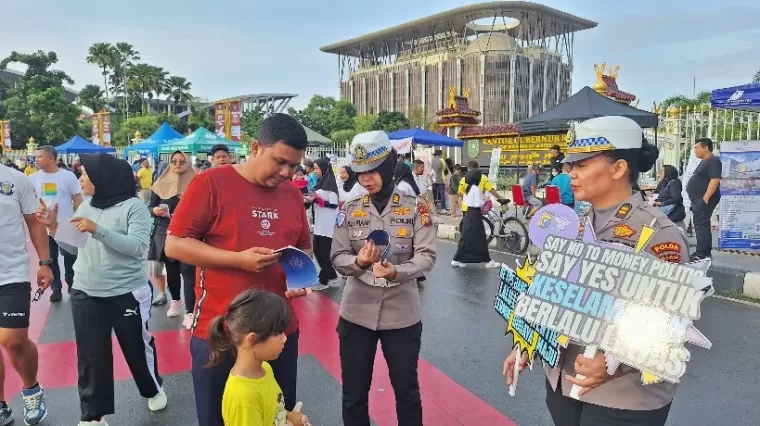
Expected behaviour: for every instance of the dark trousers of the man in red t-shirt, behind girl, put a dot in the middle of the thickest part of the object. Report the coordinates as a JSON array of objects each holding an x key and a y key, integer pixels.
[{"x": 208, "y": 382}]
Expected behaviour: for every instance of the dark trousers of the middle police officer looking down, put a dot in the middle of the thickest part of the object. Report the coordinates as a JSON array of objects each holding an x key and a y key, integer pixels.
[{"x": 401, "y": 349}]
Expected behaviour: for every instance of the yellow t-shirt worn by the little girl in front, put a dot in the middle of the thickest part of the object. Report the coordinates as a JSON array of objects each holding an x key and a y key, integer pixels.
[{"x": 253, "y": 402}]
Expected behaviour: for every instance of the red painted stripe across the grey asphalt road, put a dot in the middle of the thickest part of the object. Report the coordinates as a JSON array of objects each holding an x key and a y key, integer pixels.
[{"x": 445, "y": 402}]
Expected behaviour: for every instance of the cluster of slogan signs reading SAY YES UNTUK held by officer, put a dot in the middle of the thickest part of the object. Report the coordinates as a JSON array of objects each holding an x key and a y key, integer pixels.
[{"x": 633, "y": 306}]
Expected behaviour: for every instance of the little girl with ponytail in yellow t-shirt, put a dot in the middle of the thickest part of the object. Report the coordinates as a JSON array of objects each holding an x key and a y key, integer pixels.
[{"x": 255, "y": 327}]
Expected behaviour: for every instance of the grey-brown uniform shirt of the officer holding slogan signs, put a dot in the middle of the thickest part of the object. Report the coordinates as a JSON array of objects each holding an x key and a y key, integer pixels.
[{"x": 622, "y": 224}]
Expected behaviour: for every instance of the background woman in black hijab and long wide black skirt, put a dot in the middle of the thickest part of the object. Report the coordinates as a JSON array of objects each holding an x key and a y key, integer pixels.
[{"x": 473, "y": 247}]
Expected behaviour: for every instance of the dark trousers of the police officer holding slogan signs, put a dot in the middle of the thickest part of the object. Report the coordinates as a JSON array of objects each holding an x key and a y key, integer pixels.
[{"x": 571, "y": 412}]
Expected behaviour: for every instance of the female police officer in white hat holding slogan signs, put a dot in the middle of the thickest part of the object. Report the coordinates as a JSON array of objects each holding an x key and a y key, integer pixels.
[{"x": 607, "y": 155}]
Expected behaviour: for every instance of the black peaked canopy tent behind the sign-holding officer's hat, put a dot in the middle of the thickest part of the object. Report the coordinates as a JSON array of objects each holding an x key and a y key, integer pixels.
[{"x": 582, "y": 106}]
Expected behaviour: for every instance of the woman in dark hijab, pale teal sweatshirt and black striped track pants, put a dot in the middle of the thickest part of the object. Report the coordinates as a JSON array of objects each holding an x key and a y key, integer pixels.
[{"x": 111, "y": 293}]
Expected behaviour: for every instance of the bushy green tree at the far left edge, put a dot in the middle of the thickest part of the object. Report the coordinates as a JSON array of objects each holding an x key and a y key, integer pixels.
[{"x": 37, "y": 105}]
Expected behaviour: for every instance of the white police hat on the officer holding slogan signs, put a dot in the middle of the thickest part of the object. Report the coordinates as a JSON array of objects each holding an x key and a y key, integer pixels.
[{"x": 602, "y": 134}]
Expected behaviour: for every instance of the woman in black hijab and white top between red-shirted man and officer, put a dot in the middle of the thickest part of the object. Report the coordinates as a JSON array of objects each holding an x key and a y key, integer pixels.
[{"x": 325, "y": 203}]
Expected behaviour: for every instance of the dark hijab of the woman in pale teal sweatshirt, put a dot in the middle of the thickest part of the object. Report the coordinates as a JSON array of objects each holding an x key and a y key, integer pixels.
[{"x": 113, "y": 179}]
